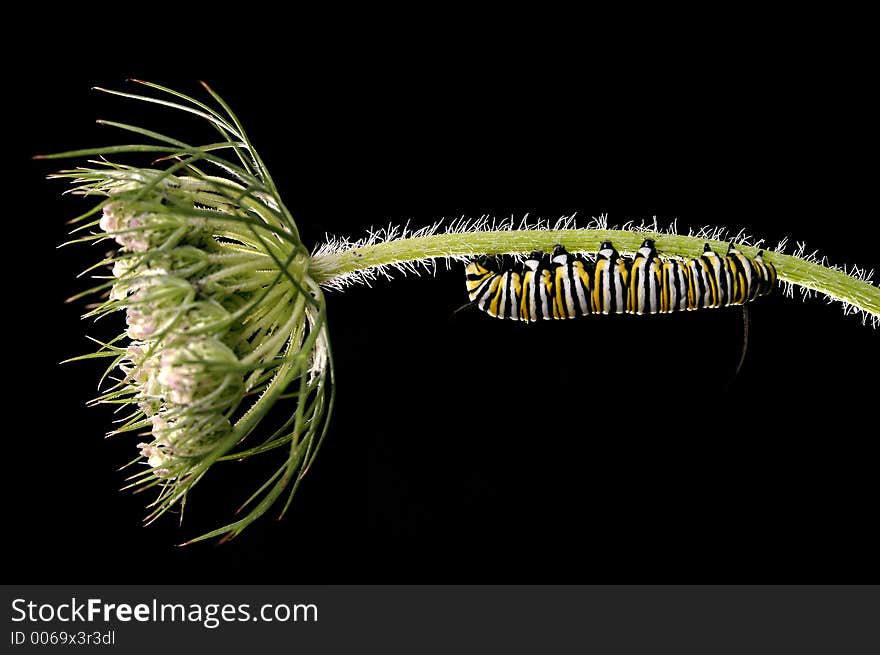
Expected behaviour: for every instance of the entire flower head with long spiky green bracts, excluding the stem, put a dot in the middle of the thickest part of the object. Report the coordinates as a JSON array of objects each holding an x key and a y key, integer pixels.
[{"x": 223, "y": 319}]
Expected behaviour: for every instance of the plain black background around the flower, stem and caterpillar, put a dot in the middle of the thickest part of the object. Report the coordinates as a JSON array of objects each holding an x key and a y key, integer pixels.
[{"x": 463, "y": 449}]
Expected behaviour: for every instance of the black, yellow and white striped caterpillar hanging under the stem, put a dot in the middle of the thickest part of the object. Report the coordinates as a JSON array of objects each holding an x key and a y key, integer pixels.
[{"x": 567, "y": 286}]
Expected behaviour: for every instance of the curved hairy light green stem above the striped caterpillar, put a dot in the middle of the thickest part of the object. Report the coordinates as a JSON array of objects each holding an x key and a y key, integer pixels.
[{"x": 862, "y": 295}]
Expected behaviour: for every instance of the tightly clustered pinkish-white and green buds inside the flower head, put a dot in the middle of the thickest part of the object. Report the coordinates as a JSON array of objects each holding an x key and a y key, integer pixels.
[{"x": 182, "y": 367}]
